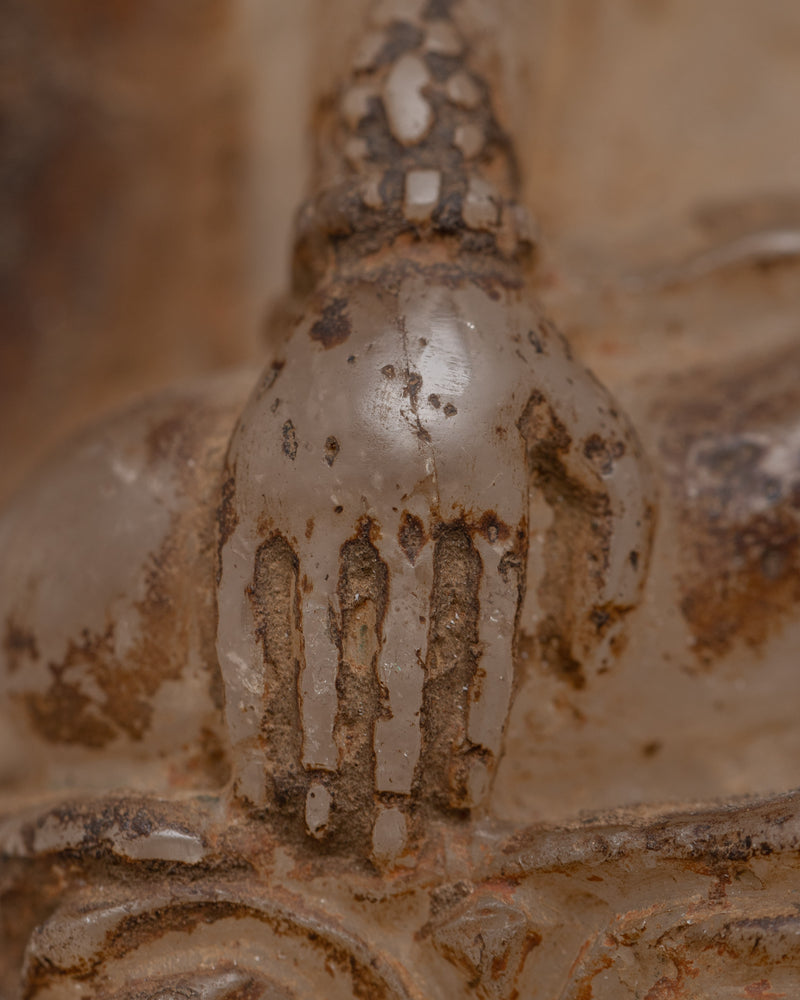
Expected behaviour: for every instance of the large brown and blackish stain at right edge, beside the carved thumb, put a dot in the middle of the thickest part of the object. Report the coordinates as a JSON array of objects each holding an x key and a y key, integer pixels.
[{"x": 736, "y": 487}]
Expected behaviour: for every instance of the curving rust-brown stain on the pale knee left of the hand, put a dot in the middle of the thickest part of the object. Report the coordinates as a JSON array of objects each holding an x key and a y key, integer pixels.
[{"x": 95, "y": 695}]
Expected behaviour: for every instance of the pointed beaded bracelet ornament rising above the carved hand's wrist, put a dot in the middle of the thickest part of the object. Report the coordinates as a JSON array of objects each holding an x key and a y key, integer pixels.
[{"x": 409, "y": 148}]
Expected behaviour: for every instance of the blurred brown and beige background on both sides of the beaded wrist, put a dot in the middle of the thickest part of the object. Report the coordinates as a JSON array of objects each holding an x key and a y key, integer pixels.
[{"x": 153, "y": 152}]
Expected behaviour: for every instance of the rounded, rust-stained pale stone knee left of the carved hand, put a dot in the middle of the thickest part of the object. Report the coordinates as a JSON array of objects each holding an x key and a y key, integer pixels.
[{"x": 107, "y": 596}]
